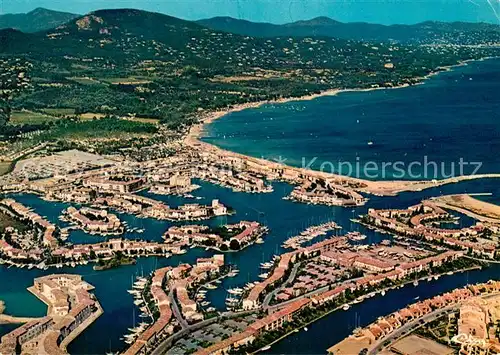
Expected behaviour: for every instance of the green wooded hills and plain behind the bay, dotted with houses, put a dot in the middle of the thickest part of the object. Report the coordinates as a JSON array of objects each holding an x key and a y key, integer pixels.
[{"x": 123, "y": 61}]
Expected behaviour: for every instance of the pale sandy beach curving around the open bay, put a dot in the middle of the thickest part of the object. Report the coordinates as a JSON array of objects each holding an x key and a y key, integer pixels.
[{"x": 193, "y": 138}]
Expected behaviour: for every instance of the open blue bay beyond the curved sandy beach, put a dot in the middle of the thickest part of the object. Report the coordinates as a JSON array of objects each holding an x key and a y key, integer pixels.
[{"x": 452, "y": 117}]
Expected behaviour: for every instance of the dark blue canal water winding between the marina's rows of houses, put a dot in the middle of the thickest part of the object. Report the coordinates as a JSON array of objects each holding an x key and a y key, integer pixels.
[{"x": 282, "y": 217}]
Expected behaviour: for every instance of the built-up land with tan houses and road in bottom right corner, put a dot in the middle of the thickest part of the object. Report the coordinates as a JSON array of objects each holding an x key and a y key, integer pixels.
[{"x": 456, "y": 321}]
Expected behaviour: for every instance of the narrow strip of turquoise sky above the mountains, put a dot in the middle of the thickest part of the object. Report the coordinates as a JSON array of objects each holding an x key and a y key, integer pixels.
[{"x": 283, "y": 11}]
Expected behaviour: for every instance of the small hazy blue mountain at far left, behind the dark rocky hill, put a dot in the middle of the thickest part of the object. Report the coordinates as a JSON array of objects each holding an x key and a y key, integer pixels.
[{"x": 37, "y": 20}]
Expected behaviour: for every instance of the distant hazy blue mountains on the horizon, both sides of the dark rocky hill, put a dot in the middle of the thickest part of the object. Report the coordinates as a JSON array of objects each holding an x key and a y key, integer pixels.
[{"x": 42, "y": 19}]
